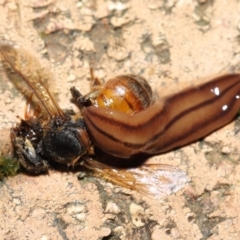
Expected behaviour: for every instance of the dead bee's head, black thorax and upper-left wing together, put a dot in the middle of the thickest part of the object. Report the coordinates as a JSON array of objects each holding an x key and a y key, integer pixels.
[{"x": 47, "y": 133}]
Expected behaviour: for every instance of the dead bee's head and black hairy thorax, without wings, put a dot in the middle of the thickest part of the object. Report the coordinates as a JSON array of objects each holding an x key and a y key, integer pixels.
[{"x": 65, "y": 142}]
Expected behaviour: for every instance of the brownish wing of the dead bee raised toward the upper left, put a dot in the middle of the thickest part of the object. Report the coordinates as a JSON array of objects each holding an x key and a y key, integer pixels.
[{"x": 32, "y": 74}]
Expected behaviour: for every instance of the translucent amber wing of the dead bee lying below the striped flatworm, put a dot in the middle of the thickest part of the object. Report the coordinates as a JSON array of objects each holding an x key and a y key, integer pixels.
[{"x": 152, "y": 180}]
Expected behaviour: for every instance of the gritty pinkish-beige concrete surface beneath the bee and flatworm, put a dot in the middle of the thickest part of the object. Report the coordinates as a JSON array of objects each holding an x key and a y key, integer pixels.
[{"x": 172, "y": 43}]
